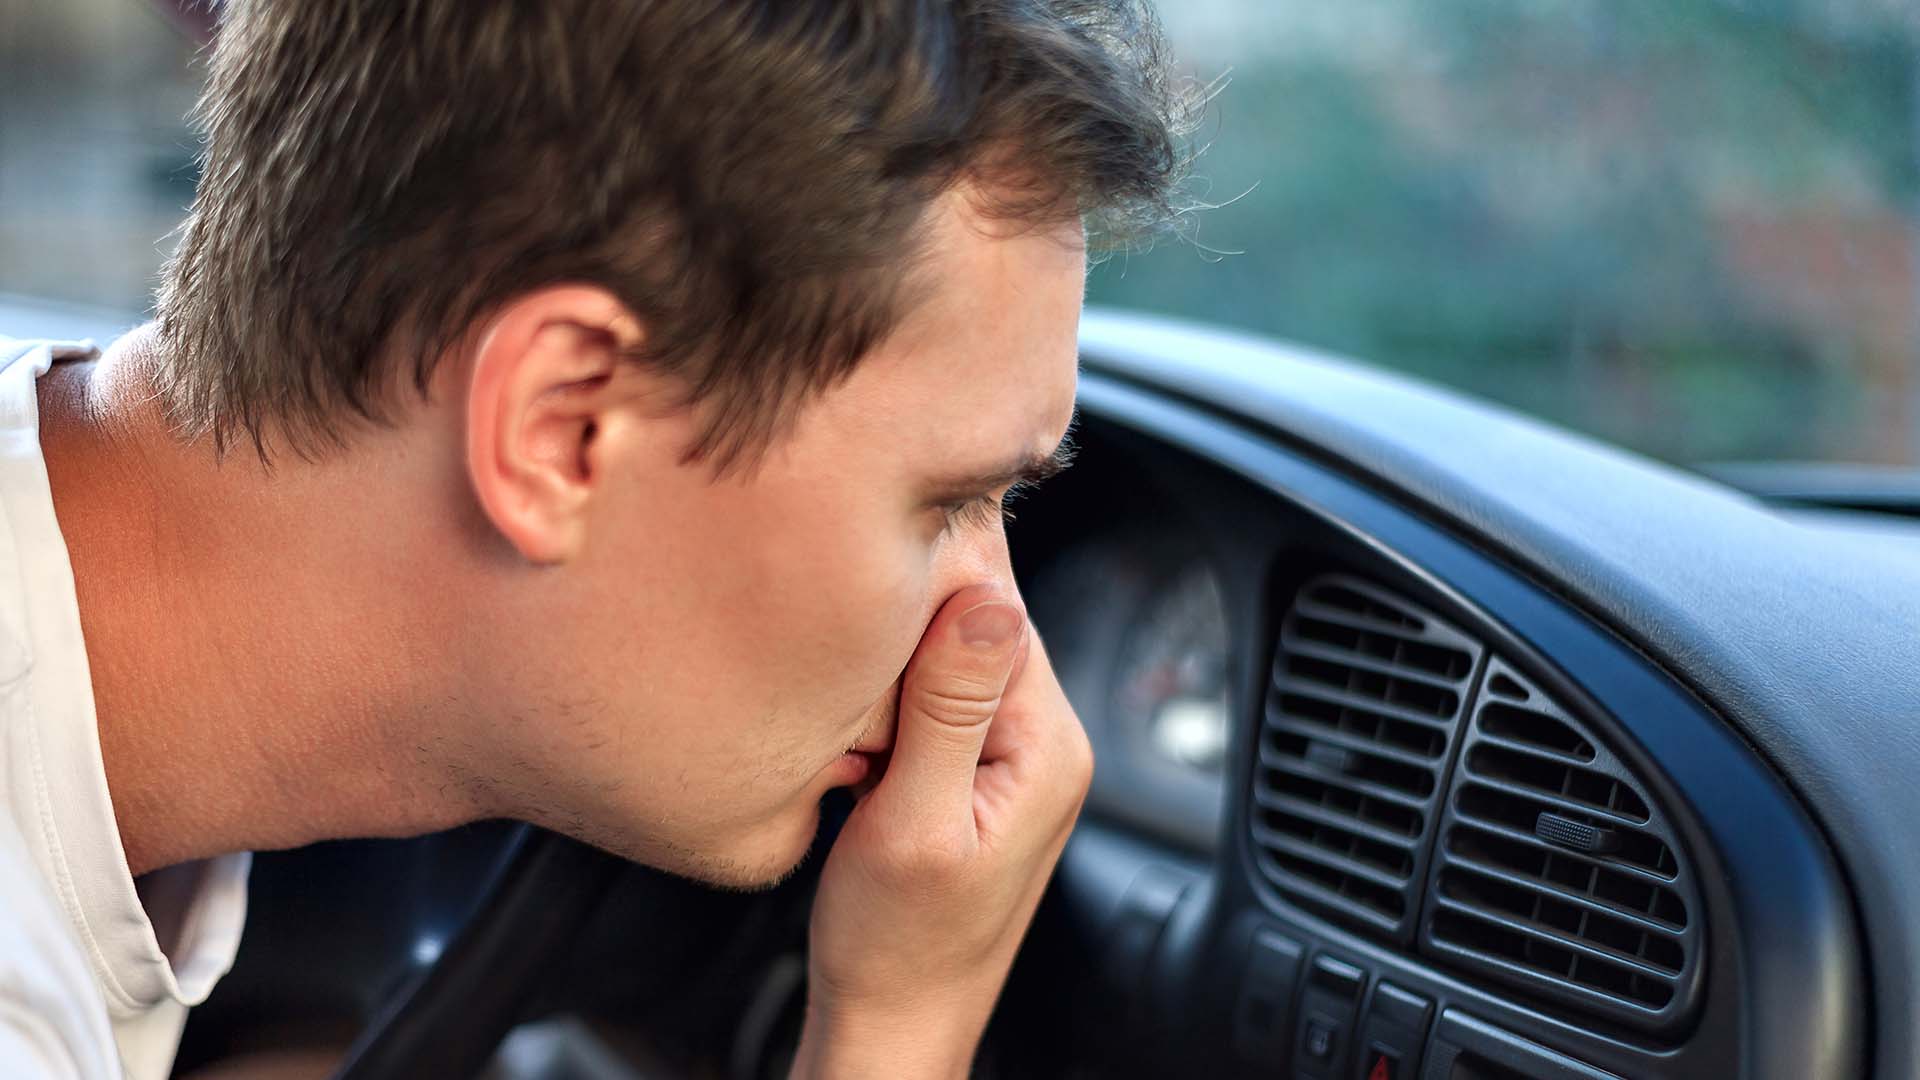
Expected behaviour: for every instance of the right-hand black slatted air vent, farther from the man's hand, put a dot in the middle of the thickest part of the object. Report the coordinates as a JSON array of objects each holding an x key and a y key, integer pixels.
[{"x": 1556, "y": 871}]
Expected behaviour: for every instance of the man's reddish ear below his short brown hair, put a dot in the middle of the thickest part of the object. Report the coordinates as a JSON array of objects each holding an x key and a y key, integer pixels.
[{"x": 539, "y": 395}]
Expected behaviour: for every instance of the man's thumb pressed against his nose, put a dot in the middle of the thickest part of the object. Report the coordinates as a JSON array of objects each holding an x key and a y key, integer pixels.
[{"x": 949, "y": 697}]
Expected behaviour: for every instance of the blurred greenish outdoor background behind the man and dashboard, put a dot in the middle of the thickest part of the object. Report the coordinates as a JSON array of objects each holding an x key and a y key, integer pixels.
[{"x": 1685, "y": 226}]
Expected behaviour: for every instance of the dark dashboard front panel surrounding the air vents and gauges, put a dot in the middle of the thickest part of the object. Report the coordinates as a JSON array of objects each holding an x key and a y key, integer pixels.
[{"x": 1172, "y": 481}]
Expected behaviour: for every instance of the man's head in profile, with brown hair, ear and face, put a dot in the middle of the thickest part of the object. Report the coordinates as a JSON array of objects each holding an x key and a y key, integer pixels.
[{"x": 690, "y": 328}]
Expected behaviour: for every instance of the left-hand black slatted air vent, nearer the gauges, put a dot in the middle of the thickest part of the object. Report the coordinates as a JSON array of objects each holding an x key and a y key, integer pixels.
[{"x": 1368, "y": 693}]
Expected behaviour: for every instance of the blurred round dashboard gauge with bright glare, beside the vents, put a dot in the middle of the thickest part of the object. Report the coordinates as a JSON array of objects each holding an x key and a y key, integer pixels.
[{"x": 1170, "y": 685}]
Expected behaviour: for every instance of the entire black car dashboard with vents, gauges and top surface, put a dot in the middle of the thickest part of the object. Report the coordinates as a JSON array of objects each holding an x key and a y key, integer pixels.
[{"x": 1416, "y": 762}]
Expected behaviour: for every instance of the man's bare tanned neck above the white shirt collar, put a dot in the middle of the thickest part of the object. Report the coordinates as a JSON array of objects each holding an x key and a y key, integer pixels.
[{"x": 252, "y": 658}]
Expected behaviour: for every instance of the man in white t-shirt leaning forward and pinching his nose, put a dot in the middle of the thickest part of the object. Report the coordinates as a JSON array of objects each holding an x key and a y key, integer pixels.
[{"x": 594, "y": 414}]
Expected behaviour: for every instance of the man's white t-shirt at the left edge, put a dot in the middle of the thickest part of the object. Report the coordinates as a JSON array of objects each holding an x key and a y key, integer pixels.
[{"x": 85, "y": 985}]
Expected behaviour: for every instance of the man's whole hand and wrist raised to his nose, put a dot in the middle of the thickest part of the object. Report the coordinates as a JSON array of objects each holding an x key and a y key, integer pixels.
[{"x": 940, "y": 868}]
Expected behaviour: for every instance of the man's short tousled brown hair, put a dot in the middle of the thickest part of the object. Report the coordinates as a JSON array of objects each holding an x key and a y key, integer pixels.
[{"x": 744, "y": 174}]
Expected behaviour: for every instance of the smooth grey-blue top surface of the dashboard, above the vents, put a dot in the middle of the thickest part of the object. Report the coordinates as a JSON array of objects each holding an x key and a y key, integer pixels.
[{"x": 1802, "y": 637}]
